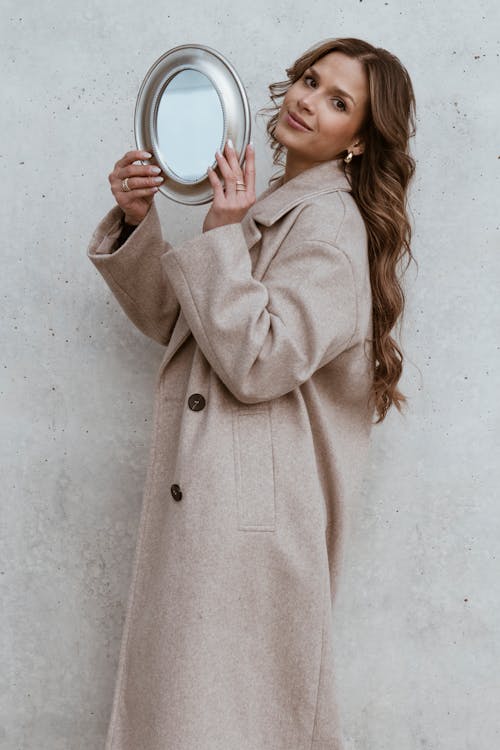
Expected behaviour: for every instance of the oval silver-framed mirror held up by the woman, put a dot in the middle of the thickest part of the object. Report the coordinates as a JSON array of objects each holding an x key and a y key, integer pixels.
[{"x": 190, "y": 102}]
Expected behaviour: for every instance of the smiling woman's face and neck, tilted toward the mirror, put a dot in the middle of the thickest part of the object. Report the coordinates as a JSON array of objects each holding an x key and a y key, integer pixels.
[{"x": 333, "y": 118}]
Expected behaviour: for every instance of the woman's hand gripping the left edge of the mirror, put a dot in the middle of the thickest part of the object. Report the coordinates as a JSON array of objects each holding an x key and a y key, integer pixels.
[{"x": 143, "y": 183}]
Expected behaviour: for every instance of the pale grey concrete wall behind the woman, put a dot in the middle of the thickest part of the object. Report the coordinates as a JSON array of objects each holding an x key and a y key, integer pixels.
[{"x": 417, "y": 616}]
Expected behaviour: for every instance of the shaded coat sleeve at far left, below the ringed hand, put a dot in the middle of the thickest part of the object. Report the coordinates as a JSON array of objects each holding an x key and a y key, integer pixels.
[{"x": 134, "y": 273}]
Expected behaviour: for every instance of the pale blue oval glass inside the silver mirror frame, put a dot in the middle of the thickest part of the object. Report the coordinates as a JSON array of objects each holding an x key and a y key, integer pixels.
[{"x": 190, "y": 124}]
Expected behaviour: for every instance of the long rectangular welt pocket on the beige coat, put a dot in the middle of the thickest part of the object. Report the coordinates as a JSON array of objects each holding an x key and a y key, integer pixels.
[{"x": 254, "y": 469}]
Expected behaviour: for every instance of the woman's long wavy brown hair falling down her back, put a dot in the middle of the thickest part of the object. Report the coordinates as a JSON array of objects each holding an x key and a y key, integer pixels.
[{"x": 379, "y": 179}]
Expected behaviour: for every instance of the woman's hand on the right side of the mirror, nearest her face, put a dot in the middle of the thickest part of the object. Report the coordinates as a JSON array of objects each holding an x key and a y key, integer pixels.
[{"x": 229, "y": 205}]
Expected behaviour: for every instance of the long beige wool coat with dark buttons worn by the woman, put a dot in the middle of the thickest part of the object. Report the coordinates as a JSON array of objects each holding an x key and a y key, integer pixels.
[{"x": 261, "y": 427}]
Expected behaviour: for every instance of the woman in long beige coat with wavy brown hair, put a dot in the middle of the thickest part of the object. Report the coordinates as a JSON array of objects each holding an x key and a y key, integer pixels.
[{"x": 276, "y": 321}]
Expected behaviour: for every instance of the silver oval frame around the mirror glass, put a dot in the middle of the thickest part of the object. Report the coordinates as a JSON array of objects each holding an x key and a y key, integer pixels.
[{"x": 235, "y": 108}]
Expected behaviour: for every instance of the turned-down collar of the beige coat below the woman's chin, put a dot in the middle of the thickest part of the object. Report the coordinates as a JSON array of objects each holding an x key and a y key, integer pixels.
[{"x": 281, "y": 197}]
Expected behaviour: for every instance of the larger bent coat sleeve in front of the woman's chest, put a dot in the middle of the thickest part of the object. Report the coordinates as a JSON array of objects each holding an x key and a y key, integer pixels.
[{"x": 265, "y": 337}]
